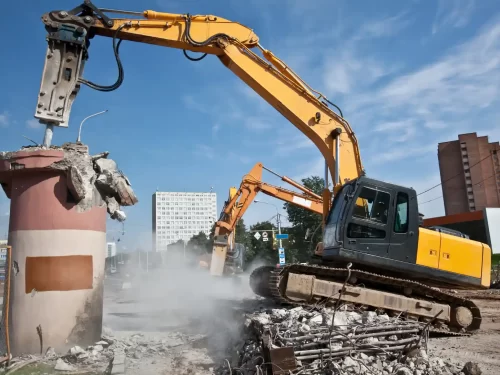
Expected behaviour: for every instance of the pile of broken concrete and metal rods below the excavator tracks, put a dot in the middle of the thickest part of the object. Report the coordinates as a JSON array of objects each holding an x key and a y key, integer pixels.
[{"x": 305, "y": 341}]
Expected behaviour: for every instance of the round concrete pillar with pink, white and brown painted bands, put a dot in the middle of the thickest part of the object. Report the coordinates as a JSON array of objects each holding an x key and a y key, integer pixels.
[{"x": 58, "y": 256}]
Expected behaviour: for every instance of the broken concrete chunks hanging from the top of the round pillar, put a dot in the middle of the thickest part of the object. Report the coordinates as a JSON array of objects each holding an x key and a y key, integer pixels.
[{"x": 92, "y": 180}]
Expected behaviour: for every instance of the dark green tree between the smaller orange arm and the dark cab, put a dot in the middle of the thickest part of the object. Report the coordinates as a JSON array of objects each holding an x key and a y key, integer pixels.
[{"x": 302, "y": 220}]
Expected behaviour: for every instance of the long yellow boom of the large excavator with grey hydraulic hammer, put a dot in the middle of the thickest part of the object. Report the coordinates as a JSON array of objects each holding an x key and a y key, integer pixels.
[{"x": 70, "y": 32}]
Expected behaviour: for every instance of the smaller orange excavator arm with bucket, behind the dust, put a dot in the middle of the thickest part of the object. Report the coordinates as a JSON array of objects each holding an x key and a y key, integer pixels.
[{"x": 226, "y": 250}]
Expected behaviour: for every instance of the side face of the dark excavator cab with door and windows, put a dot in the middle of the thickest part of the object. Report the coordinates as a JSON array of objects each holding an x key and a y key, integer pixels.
[{"x": 381, "y": 220}]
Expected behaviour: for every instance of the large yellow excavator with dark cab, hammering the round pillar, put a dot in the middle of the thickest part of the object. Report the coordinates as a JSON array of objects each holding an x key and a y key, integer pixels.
[{"x": 374, "y": 253}]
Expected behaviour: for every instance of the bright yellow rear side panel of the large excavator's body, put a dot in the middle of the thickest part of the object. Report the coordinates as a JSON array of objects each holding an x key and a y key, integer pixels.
[{"x": 454, "y": 254}]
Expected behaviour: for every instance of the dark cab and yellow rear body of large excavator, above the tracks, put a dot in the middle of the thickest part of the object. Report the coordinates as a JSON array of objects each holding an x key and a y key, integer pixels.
[{"x": 385, "y": 233}]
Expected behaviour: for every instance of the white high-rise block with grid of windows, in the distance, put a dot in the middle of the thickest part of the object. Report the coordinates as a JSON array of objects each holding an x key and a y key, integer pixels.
[{"x": 180, "y": 215}]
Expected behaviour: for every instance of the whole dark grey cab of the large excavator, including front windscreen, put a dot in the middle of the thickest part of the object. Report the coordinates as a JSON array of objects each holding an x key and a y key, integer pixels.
[{"x": 372, "y": 223}]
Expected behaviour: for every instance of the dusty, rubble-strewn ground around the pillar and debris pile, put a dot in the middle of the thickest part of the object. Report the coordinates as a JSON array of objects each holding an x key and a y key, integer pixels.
[{"x": 183, "y": 321}]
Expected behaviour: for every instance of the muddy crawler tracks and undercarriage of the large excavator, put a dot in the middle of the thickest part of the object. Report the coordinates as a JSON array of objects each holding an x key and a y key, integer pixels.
[{"x": 305, "y": 284}]
